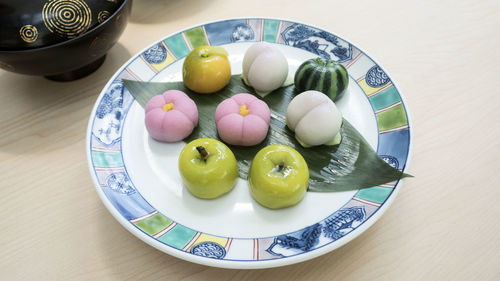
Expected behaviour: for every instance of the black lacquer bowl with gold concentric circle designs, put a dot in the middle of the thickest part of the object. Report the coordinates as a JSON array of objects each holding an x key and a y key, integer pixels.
[{"x": 62, "y": 57}]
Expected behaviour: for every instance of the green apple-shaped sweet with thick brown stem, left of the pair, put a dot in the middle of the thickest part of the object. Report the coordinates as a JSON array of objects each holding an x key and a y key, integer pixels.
[{"x": 208, "y": 168}]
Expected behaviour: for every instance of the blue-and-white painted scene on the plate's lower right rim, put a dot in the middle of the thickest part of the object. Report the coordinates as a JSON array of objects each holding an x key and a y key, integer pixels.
[{"x": 334, "y": 227}]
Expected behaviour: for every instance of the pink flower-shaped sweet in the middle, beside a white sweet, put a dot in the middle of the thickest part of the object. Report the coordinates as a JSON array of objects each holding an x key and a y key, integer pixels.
[{"x": 242, "y": 120}]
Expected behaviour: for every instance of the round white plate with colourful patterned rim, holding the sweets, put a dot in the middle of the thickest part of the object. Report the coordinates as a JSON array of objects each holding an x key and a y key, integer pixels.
[{"x": 137, "y": 178}]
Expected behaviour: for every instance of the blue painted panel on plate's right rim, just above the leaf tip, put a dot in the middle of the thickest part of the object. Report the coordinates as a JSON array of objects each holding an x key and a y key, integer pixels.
[{"x": 395, "y": 144}]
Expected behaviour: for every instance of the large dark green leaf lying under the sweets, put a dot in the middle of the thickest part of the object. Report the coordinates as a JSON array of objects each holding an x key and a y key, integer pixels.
[{"x": 348, "y": 166}]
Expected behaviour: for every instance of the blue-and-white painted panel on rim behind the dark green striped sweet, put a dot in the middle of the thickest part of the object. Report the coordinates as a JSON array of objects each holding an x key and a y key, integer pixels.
[{"x": 317, "y": 41}]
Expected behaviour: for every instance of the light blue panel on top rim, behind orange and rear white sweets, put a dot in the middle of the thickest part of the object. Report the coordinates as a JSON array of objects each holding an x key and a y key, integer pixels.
[{"x": 220, "y": 33}]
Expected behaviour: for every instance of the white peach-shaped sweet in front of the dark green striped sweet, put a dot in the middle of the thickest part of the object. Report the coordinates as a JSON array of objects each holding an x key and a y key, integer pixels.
[{"x": 314, "y": 118}]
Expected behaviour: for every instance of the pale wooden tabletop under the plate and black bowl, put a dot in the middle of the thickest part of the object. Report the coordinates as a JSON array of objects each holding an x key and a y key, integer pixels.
[{"x": 442, "y": 226}]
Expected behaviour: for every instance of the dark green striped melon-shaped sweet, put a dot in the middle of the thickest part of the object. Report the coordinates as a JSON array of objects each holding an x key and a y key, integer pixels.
[{"x": 324, "y": 75}]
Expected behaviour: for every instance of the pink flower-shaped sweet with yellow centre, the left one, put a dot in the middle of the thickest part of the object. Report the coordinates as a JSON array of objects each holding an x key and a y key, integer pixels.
[{"x": 171, "y": 117}]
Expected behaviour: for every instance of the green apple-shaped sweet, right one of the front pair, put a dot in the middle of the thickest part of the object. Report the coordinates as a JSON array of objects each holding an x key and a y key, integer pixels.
[{"x": 278, "y": 176}]
